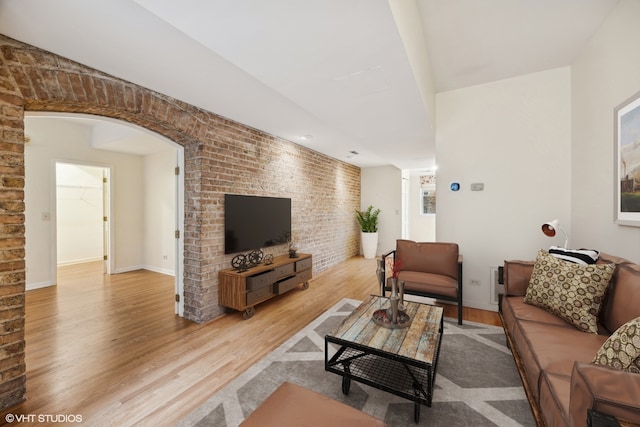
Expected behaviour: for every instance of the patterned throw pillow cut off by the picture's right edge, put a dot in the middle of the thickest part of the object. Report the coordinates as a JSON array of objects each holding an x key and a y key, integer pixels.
[{"x": 622, "y": 349}]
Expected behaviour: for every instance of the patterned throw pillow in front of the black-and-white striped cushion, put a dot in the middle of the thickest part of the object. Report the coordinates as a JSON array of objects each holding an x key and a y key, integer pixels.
[{"x": 571, "y": 291}]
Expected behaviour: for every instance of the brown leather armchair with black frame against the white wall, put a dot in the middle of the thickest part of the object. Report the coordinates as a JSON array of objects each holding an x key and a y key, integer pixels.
[{"x": 428, "y": 269}]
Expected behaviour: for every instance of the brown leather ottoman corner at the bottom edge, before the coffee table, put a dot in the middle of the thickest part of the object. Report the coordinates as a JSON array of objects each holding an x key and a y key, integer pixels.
[{"x": 292, "y": 405}]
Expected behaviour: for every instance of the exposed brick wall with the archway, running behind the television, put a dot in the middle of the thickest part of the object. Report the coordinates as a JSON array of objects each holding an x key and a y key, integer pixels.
[{"x": 221, "y": 156}]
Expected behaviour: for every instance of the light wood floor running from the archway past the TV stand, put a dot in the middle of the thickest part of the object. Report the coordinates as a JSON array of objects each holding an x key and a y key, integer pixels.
[{"x": 110, "y": 348}]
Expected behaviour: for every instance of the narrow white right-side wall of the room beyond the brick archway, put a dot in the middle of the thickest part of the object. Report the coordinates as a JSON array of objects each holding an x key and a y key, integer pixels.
[{"x": 159, "y": 224}]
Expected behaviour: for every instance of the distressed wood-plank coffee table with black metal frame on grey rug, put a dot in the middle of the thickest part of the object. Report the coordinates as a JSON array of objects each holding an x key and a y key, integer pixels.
[{"x": 398, "y": 361}]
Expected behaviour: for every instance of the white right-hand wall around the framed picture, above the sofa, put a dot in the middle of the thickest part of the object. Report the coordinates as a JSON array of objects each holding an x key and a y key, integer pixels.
[{"x": 606, "y": 74}]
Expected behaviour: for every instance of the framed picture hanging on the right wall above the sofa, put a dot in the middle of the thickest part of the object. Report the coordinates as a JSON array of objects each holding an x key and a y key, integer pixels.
[{"x": 627, "y": 162}]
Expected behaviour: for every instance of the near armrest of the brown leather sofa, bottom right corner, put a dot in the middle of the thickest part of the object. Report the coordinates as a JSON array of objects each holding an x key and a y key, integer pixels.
[{"x": 604, "y": 389}]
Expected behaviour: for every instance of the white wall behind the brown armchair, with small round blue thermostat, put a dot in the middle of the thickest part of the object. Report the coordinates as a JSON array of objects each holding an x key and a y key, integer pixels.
[{"x": 514, "y": 136}]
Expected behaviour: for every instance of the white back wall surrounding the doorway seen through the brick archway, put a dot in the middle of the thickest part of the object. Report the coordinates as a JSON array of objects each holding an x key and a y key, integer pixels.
[{"x": 61, "y": 140}]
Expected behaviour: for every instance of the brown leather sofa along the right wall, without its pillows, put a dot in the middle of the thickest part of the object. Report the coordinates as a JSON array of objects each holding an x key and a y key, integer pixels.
[{"x": 555, "y": 359}]
